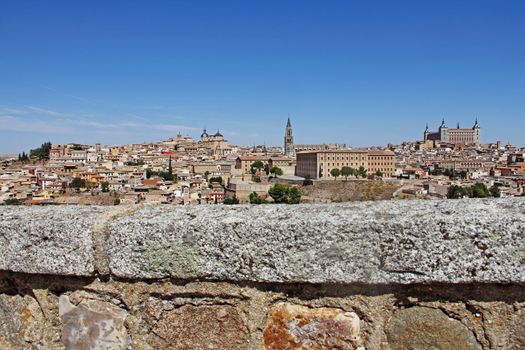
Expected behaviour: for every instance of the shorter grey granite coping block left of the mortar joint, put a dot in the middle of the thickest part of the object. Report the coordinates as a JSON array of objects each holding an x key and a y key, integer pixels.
[{"x": 48, "y": 240}]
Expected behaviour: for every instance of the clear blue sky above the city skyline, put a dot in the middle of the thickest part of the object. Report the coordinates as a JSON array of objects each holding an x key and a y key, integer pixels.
[{"x": 356, "y": 72}]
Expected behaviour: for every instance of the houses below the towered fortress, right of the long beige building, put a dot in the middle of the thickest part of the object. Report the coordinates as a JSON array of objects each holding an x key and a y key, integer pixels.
[{"x": 429, "y": 168}]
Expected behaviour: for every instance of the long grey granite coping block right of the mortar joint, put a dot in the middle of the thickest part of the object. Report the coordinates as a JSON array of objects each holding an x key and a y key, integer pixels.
[{"x": 454, "y": 241}]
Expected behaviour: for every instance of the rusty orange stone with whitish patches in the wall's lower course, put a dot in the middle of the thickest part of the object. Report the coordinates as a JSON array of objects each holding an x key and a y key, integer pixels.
[{"x": 292, "y": 327}]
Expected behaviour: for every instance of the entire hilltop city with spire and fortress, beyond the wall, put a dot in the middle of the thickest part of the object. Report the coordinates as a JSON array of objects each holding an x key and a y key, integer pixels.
[{"x": 449, "y": 162}]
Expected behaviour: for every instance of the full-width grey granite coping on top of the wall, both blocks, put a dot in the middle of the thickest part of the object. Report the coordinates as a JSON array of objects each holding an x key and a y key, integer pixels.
[{"x": 382, "y": 242}]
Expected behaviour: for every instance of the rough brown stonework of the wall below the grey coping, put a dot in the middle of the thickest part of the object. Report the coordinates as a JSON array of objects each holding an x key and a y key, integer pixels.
[{"x": 75, "y": 312}]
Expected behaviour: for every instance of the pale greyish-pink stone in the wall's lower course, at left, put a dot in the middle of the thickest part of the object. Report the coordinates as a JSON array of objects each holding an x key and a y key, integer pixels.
[{"x": 92, "y": 325}]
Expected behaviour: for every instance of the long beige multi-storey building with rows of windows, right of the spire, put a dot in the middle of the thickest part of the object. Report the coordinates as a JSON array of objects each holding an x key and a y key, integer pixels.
[{"x": 319, "y": 164}]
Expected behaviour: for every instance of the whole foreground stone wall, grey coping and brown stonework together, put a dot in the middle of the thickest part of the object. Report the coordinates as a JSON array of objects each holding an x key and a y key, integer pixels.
[{"x": 372, "y": 275}]
